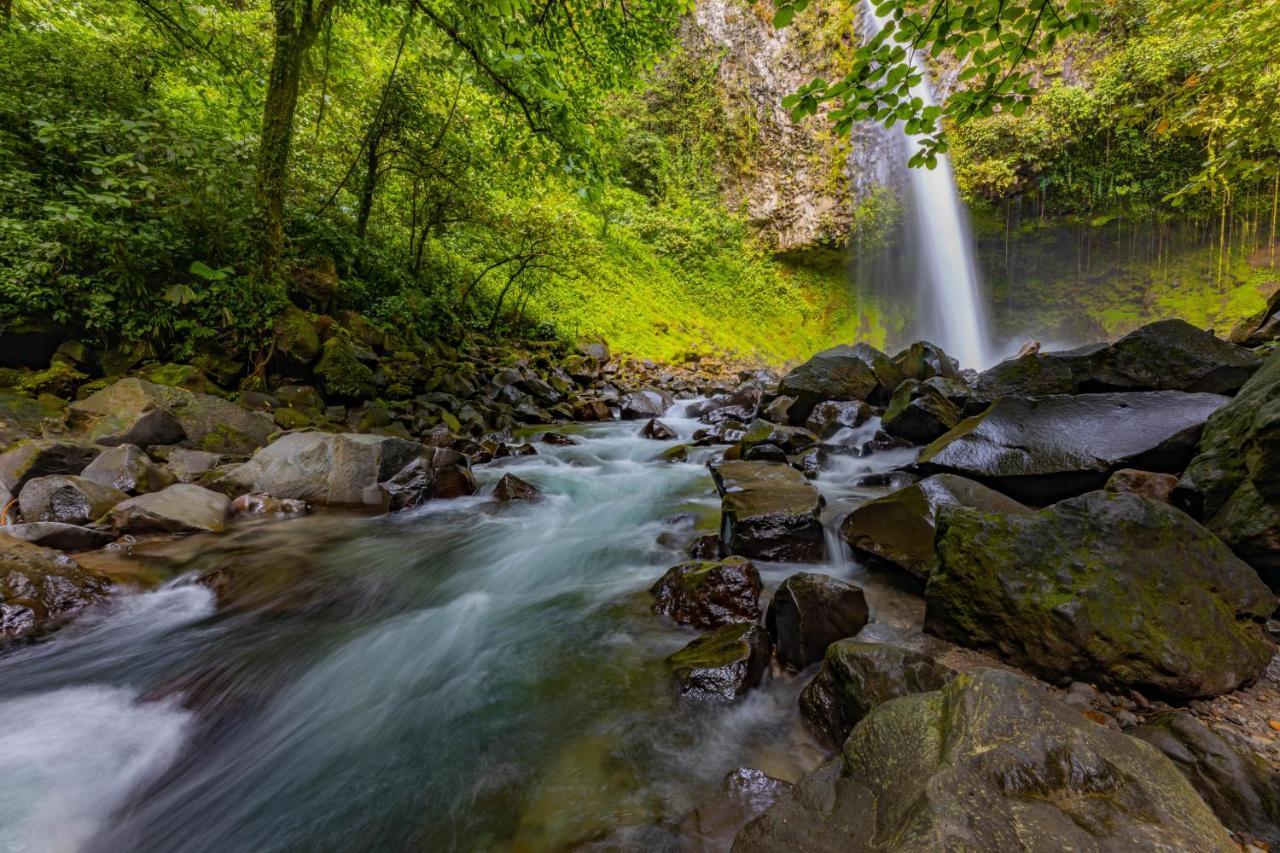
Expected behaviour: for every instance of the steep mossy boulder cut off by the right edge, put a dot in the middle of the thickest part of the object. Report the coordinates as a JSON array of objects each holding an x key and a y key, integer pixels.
[{"x": 1235, "y": 483}]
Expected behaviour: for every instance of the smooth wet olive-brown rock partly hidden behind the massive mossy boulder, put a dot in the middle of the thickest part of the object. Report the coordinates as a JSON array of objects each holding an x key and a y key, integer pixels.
[{"x": 899, "y": 530}]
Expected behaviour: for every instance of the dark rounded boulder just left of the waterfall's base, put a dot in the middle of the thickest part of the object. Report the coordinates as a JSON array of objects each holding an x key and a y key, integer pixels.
[{"x": 840, "y": 375}]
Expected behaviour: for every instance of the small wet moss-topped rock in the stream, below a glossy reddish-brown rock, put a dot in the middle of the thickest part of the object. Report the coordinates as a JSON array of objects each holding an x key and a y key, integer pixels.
[{"x": 723, "y": 665}]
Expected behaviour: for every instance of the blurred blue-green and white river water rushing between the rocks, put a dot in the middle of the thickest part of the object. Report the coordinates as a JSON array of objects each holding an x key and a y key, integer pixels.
[{"x": 468, "y": 677}]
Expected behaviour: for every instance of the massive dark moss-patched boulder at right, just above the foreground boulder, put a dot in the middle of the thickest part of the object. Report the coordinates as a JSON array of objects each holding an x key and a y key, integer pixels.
[{"x": 1108, "y": 589}]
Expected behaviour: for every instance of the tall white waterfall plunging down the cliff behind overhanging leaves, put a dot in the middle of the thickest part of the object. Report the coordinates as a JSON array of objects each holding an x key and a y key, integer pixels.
[{"x": 936, "y": 250}]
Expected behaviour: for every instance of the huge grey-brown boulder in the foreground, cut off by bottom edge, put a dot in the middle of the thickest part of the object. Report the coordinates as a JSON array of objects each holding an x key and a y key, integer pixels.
[{"x": 989, "y": 763}]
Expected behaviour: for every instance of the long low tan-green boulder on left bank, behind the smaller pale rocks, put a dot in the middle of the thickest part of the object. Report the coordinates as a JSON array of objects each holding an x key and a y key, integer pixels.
[{"x": 135, "y": 412}]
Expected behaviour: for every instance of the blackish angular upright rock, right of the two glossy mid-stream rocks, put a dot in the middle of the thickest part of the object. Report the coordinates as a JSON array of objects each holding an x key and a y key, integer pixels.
[{"x": 810, "y": 613}]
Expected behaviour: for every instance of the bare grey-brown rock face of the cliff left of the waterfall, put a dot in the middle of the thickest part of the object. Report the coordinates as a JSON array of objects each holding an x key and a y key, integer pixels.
[{"x": 797, "y": 184}]
